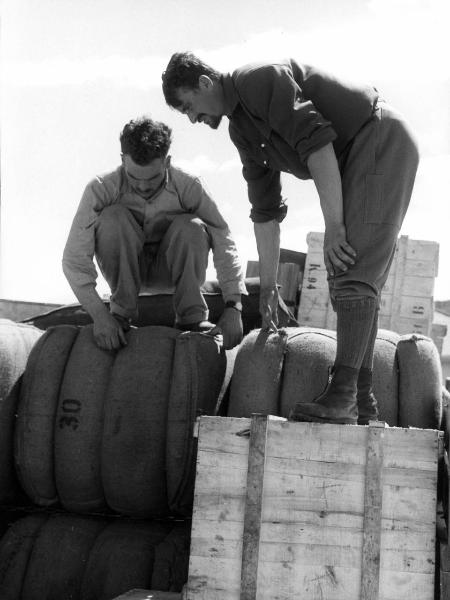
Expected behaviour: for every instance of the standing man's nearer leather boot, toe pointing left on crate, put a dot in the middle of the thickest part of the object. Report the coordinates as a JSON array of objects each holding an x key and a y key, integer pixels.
[{"x": 336, "y": 404}]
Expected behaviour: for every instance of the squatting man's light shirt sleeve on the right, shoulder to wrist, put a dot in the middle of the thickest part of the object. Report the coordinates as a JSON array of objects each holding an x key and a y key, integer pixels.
[{"x": 226, "y": 260}]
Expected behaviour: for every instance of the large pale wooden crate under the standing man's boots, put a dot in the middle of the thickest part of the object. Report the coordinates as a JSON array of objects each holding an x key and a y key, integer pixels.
[{"x": 285, "y": 510}]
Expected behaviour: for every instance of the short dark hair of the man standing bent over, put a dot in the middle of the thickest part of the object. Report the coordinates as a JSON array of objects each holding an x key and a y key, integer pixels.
[{"x": 183, "y": 71}]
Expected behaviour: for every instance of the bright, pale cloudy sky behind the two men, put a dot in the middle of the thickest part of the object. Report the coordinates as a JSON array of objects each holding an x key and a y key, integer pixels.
[{"x": 75, "y": 71}]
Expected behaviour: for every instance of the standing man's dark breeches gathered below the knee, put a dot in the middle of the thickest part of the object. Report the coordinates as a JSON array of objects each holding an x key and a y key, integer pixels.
[{"x": 377, "y": 181}]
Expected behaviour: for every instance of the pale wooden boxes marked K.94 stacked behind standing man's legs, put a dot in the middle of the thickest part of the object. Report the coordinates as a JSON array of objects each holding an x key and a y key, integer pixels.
[{"x": 406, "y": 299}]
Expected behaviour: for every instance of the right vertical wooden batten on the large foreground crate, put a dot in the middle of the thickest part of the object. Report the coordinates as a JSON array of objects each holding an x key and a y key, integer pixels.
[{"x": 373, "y": 503}]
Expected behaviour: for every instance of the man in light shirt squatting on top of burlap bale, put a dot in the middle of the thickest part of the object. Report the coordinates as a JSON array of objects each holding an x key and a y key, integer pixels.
[{"x": 149, "y": 222}]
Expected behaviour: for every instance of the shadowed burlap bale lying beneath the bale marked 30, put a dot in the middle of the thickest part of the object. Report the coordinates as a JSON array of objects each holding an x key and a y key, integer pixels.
[{"x": 69, "y": 557}]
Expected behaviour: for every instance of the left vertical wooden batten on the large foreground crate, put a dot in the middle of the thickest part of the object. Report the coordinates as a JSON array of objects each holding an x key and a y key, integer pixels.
[{"x": 253, "y": 507}]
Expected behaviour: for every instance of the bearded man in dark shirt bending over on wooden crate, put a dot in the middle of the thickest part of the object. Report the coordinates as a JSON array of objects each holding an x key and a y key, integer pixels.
[{"x": 292, "y": 117}]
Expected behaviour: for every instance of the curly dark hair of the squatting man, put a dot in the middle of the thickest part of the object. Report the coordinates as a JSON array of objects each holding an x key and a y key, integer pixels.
[{"x": 144, "y": 140}]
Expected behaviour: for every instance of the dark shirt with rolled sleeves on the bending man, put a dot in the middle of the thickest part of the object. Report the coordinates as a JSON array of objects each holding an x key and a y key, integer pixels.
[{"x": 280, "y": 113}]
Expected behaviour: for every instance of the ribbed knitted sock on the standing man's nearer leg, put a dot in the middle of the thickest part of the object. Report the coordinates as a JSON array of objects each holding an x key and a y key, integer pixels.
[{"x": 355, "y": 323}]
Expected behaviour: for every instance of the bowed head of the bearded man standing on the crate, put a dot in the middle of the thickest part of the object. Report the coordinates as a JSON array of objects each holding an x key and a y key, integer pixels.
[{"x": 194, "y": 88}]
